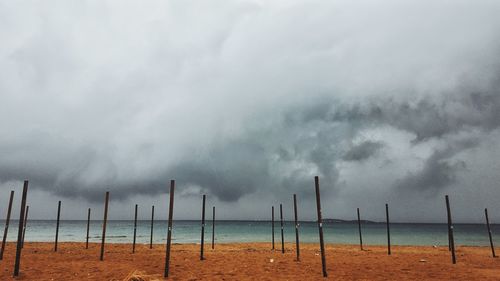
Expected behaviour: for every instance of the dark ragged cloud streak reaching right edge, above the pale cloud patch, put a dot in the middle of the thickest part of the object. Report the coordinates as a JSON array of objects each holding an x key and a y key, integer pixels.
[{"x": 426, "y": 117}]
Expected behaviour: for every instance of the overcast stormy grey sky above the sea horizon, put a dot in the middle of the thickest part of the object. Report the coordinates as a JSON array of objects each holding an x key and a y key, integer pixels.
[{"x": 246, "y": 101}]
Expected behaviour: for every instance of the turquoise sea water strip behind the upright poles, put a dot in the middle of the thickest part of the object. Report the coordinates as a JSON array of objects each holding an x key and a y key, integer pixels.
[{"x": 257, "y": 231}]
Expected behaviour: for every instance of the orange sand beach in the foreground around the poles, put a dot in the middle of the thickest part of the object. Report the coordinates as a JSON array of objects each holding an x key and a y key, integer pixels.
[{"x": 250, "y": 261}]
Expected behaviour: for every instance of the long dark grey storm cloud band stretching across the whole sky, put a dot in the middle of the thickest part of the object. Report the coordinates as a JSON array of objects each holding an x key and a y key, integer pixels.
[{"x": 275, "y": 158}]
